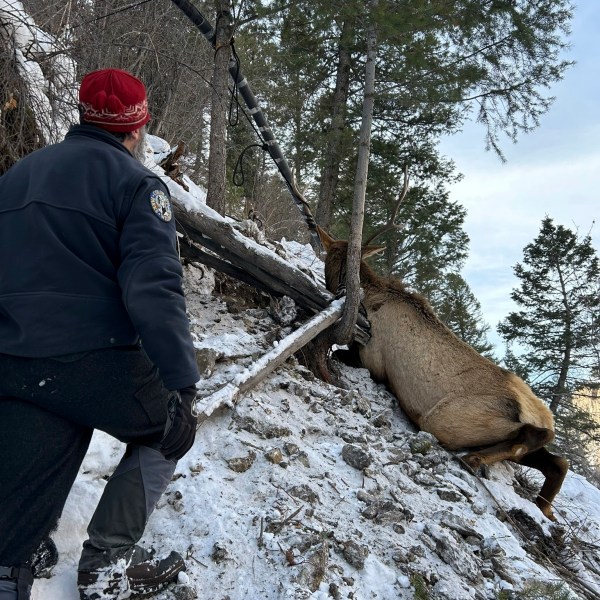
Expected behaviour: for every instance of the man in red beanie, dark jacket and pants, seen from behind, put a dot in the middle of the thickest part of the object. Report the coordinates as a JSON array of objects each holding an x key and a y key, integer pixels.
[{"x": 93, "y": 335}]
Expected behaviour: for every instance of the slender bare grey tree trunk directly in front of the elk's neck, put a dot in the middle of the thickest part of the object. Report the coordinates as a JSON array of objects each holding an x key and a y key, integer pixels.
[{"x": 344, "y": 330}]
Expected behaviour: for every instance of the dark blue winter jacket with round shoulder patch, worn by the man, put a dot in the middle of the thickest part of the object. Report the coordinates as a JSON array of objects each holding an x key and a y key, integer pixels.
[{"x": 88, "y": 256}]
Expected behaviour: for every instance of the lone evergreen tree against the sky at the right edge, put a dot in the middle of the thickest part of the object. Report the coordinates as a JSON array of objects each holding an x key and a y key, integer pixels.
[{"x": 553, "y": 337}]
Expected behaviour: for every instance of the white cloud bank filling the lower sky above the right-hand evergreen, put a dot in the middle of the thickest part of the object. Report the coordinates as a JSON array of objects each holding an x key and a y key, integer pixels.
[{"x": 506, "y": 204}]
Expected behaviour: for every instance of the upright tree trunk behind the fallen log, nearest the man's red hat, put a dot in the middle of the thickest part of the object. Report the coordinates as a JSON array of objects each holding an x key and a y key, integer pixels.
[{"x": 215, "y": 197}]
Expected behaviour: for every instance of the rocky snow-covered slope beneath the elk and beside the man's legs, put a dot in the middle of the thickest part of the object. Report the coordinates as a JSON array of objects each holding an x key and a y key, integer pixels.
[{"x": 305, "y": 490}]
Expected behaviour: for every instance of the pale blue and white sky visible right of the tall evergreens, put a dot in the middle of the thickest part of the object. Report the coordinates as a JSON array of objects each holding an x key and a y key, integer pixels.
[{"x": 552, "y": 171}]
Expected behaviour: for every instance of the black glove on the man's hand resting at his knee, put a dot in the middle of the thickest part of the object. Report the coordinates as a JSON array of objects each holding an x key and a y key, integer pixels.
[{"x": 180, "y": 430}]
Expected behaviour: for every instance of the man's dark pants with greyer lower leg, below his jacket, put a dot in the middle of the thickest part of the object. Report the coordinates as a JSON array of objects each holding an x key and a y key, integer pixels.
[{"x": 48, "y": 410}]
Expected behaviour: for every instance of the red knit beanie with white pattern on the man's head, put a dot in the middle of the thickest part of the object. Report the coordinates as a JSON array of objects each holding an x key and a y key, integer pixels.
[{"x": 114, "y": 100}]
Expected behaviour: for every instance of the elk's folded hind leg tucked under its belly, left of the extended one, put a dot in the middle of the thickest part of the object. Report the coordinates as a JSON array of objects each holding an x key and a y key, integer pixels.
[{"x": 527, "y": 439}]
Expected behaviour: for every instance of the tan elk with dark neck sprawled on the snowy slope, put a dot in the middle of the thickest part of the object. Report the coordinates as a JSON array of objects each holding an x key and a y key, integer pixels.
[{"x": 444, "y": 385}]
